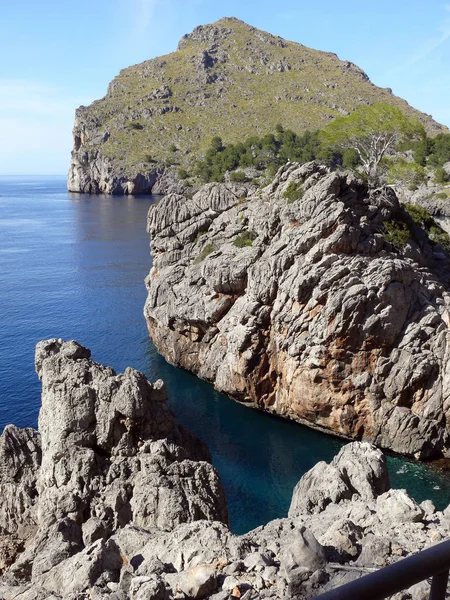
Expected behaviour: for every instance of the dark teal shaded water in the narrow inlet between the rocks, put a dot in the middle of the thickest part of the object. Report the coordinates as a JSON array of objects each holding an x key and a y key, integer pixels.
[{"x": 261, "y": 457}]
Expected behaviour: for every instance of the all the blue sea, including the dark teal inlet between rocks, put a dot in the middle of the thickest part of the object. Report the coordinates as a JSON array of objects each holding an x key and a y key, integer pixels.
[{"x": 73, "y": 266}]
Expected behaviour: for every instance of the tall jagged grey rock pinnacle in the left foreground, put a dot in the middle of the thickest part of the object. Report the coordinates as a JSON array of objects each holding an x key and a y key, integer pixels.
[{"x": 112, "y": 449}]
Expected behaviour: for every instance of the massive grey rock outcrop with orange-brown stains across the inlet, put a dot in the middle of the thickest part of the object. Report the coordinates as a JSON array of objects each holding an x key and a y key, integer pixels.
[{"x": 314, "y": 299}]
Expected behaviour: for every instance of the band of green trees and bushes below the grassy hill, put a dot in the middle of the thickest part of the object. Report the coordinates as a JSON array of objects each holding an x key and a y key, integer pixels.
[{"x": 377, "y": 142}]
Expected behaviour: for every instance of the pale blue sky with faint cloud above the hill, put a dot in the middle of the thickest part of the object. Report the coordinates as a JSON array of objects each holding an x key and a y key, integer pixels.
[{"x": 56, "y": 55}]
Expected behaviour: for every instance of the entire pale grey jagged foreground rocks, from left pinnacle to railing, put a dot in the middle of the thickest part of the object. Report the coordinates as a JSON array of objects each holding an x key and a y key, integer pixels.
[{"x": 112, "y": 499}]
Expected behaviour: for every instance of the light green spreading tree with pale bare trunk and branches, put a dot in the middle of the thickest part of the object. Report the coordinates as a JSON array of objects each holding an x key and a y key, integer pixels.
[{"x": 372, "y": 131}]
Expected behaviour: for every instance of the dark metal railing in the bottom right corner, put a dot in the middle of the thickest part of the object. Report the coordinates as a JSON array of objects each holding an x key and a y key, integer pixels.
[{"x": 433, "y": 562}]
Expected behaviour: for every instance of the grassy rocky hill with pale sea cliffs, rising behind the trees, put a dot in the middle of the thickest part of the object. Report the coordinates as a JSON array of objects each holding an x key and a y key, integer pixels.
[{"x": 226, "y": 78}]
